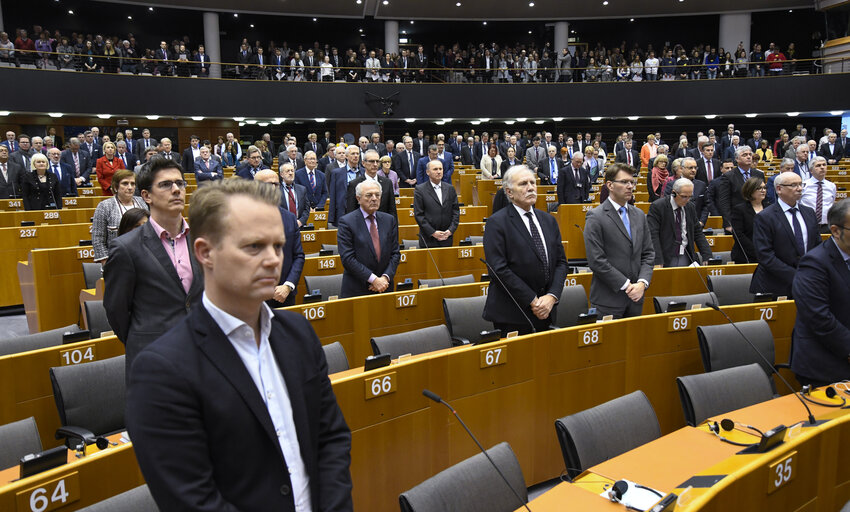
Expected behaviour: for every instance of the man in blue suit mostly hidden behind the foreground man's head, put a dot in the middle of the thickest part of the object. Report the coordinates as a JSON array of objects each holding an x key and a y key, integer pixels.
[{"x": 293, "y": 253}]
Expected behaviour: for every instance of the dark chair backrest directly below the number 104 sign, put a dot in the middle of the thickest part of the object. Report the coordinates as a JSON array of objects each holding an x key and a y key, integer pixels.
[{"x": 91, "y": 395}]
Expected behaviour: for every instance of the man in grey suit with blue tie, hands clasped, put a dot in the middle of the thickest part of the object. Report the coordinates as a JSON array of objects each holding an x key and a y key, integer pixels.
[{"x": 619, "y": 248}]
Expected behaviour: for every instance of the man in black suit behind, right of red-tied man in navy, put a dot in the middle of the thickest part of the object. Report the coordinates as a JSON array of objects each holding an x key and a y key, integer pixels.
[{"x": 436, "y": 209}]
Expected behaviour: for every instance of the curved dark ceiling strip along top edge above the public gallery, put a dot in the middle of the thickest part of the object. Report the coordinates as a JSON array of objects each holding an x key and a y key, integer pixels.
[{"x": 537, "y": 10}]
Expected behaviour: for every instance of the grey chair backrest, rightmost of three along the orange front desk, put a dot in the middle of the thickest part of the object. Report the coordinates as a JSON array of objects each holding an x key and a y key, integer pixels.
[{"x": 709, "y": 394}]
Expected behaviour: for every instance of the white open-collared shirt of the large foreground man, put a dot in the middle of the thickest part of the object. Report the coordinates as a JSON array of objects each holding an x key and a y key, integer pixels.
[{"x": 265, "y": 372}]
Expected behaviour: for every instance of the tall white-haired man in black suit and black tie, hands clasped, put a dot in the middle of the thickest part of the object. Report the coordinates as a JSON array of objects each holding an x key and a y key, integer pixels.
[{"x": 523, "y": 248}]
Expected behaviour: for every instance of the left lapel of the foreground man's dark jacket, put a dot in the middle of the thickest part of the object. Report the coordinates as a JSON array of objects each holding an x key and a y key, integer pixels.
[{"x": 215, "y": 345}]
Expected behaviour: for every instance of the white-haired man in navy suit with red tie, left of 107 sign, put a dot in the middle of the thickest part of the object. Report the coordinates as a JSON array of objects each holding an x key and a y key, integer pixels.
[{"x": 368, "y": 245}]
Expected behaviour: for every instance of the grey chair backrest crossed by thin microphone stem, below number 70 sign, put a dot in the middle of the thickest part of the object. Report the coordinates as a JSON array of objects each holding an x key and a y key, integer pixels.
[{"x": 723, "y": 347}]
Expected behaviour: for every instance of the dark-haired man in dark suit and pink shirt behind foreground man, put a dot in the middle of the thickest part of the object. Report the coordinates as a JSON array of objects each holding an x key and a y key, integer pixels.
[{"x": 151, "y": 276}]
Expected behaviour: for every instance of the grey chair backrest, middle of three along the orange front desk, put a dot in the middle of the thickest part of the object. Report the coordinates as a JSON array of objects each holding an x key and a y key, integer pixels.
[{"x": 605, "y": 431}]
